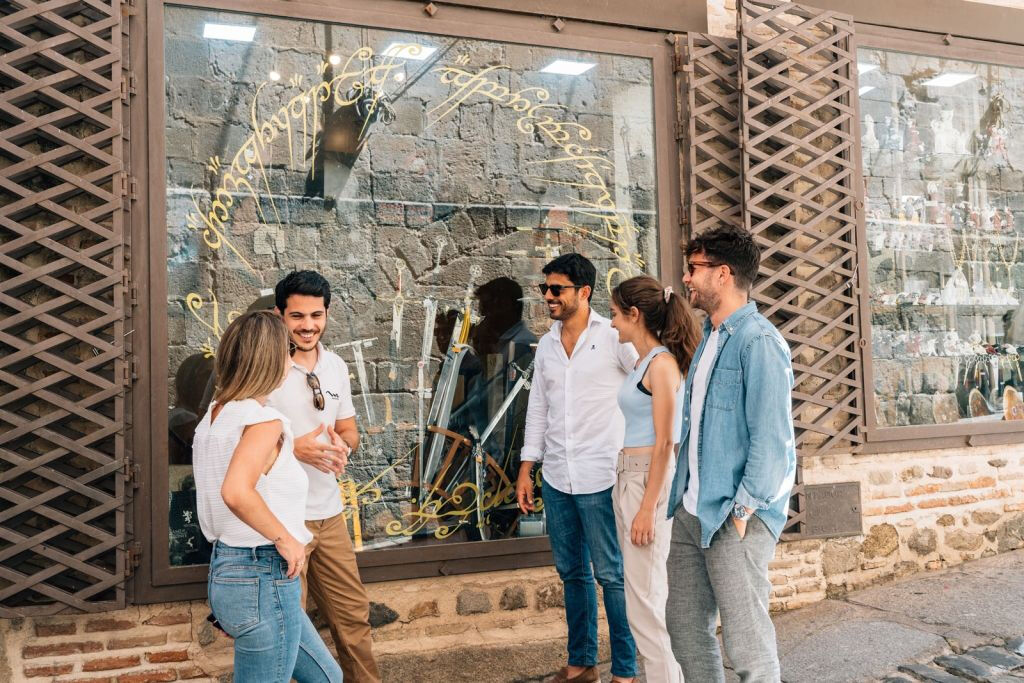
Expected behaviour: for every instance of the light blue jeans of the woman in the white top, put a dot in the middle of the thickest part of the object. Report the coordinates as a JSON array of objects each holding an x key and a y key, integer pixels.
[{"x": 255, "y": 603}]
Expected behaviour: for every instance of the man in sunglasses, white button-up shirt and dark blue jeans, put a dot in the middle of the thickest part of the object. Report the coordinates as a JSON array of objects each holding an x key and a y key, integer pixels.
[{"x": 574, "y": 425}]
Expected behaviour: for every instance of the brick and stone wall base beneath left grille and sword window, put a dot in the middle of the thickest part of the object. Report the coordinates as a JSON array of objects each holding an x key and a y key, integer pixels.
[{"x": 420, "y": 628}]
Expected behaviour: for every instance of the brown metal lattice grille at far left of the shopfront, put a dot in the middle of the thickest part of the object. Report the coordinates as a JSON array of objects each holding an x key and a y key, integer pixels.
[{"x": 64, "y": 485}]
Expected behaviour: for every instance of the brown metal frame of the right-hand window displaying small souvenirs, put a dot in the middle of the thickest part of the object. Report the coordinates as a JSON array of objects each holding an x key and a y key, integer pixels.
[{"x": 919, "y": 438}]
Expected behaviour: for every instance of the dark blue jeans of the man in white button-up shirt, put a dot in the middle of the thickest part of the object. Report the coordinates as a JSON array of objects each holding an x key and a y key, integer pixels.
[{"x": 582, "y": 531}]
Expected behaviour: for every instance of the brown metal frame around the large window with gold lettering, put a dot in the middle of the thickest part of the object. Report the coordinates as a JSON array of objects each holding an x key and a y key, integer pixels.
[{"x": 156, "y": 580}]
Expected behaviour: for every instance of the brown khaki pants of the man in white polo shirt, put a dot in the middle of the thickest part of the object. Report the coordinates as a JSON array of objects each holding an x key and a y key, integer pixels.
[{"x": 332, "y": 579}]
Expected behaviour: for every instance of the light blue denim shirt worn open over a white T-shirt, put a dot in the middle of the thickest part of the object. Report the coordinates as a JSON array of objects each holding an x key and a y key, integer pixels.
[{"x": 747, "y": 453}]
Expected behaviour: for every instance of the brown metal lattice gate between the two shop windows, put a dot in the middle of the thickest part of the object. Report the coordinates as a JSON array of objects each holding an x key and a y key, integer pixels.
[{"x": 771, "y": 144}]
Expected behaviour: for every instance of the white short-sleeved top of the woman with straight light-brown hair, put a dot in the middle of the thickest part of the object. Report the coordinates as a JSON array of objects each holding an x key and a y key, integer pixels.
[{"x": 284, "y": 488}]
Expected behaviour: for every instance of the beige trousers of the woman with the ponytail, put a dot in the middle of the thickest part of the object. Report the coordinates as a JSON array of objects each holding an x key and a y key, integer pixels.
[{"x": 646, "y": 569}]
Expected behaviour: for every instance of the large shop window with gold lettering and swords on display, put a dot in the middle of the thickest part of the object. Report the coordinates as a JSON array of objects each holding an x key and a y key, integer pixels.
[{"x": 430, "y": 179}]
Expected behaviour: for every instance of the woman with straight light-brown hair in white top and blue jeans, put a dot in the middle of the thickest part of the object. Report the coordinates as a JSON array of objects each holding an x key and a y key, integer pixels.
[{"x": 252, "y": 494}]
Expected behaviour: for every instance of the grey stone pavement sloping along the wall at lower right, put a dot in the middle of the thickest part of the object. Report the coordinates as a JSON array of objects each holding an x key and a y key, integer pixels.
[{"x": 965, "y": 624}]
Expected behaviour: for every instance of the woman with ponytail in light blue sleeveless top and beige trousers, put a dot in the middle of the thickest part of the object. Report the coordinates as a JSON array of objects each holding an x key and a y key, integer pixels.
[{"x": 662, "y": 328}]
